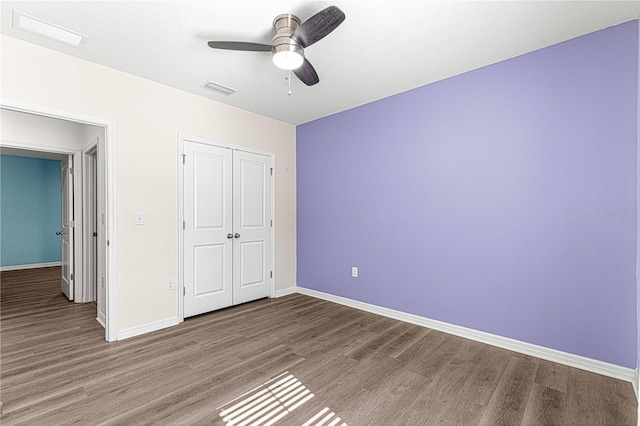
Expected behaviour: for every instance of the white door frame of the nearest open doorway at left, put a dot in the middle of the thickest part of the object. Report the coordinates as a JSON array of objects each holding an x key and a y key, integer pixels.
[{"x": 110, "y": 144}]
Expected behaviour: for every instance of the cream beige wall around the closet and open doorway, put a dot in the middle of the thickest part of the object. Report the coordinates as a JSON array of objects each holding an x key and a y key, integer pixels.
[{"x": 148, "y": 118}]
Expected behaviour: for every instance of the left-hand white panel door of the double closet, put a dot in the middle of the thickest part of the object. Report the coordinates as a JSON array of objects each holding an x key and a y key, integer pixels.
[{"x": 208, "y": 238}]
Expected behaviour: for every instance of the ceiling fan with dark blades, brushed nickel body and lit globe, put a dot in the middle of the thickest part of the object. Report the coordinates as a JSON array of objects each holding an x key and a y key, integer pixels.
[{"x": 292, "y": 37}]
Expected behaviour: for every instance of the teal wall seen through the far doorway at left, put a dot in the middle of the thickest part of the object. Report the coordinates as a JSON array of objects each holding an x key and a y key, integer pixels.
[{"x": 30, "y": 210}]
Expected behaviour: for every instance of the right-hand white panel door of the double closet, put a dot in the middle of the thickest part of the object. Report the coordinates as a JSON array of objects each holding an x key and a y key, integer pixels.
[{"x": 252, "y": 226}]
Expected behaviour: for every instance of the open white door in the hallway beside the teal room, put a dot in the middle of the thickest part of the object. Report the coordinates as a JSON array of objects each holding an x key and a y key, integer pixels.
[{"x": 67, "y": 227}]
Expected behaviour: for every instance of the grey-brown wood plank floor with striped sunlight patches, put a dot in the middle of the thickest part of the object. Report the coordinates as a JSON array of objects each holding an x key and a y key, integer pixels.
[{"x": 291, "y": 361}]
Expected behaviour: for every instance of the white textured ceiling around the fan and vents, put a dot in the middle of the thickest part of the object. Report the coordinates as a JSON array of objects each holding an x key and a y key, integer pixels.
[{"x": 382, "y": 48}]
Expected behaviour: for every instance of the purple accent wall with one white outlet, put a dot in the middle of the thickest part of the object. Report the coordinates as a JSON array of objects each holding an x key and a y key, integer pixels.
[{"x": 502, "y": 200}]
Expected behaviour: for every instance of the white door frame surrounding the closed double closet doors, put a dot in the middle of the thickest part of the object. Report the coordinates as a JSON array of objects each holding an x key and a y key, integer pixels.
[{"x": 182, "y": 138}]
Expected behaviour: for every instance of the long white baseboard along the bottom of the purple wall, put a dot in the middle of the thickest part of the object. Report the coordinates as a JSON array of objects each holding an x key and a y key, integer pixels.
[{"x": 577, "y": 361}]
